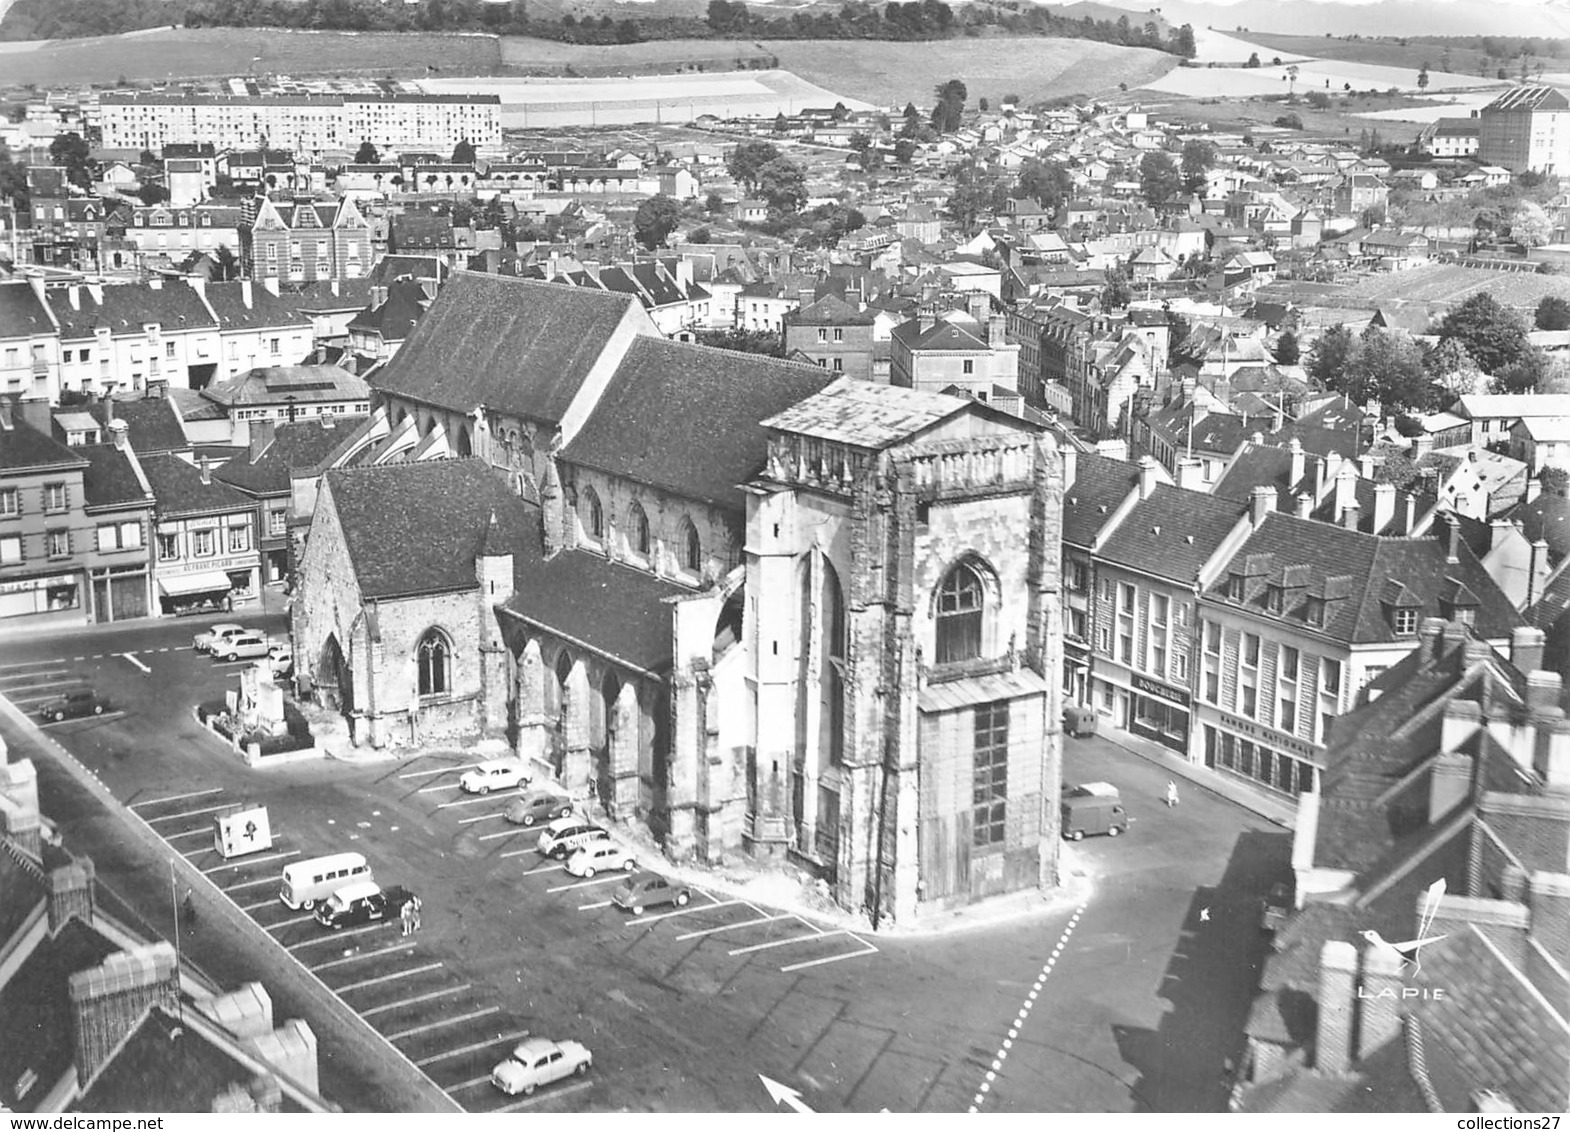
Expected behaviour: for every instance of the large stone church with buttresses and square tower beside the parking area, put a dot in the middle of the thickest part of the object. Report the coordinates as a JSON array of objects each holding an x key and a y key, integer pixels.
[{"x": 745, "y": 604}]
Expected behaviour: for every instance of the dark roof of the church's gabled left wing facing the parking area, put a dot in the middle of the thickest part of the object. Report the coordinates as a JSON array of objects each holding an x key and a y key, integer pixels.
[{"x": 415, "y": 528}]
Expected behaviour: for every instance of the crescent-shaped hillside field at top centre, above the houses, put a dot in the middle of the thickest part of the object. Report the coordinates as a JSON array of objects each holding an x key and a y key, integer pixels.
[{"x": 1034, "y": 68}]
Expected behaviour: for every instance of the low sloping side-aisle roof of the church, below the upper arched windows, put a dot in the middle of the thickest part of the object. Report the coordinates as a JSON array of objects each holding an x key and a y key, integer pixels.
[{"x": 613, "y": 608}]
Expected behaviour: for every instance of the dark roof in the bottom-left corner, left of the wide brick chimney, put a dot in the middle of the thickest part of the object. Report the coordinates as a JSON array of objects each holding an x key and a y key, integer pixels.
[{"x": 35, "y": 1012}]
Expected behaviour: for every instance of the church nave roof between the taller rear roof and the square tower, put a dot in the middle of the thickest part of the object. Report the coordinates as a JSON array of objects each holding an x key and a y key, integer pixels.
[{"x": 688, "y": 418}]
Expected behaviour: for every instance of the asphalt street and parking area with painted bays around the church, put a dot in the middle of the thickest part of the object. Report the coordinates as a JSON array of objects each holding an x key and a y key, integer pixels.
[{"x": 1126, "y": 1002}]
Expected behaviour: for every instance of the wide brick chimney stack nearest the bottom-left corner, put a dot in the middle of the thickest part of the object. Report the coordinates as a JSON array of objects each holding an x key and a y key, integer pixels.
[{"x": 109, "y": 1001}]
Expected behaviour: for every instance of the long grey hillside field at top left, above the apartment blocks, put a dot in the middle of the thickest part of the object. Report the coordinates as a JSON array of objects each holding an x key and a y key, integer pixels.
[{"x": 225, "y": 53}]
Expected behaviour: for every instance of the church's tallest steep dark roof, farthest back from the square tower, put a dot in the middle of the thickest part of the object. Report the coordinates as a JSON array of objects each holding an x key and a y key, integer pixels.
[{"x": 514, "y": 346}]
